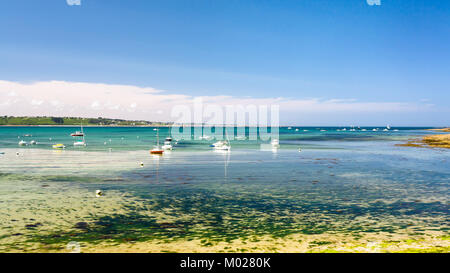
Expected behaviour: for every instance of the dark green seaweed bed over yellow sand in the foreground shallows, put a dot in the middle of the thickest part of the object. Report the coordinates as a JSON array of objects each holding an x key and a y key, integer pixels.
[{"x": 167, "y": 220}]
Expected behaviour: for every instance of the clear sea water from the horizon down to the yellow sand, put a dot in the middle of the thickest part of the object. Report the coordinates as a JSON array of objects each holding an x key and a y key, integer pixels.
[{"x": 352, "y": 182}]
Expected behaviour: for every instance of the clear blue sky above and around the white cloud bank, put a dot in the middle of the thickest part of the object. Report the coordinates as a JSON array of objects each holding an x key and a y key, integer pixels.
[{"x": 322, "y": 49}]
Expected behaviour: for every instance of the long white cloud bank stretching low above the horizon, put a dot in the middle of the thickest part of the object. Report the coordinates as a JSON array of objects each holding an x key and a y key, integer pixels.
[{"x": 106, "y": 100}]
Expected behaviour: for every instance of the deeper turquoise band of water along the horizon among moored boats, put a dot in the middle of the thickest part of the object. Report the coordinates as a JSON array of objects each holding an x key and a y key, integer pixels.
[{"x": 136, "y": 138}]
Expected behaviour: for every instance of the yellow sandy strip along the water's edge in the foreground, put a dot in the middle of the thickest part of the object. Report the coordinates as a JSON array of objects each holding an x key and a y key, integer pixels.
[{"x": 373, "y": 243}]
